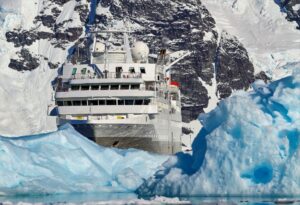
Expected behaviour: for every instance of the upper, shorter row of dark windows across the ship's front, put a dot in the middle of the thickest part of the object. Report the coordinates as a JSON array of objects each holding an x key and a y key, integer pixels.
[{"x": 106, "y": 87}]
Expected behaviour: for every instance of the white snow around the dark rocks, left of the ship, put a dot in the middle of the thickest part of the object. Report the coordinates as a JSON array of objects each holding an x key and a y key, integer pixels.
[{"x": 25, "y": 96}]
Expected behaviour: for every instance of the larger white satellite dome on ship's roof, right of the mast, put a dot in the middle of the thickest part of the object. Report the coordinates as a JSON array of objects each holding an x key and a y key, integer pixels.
[{"x": 140, "y": 51}]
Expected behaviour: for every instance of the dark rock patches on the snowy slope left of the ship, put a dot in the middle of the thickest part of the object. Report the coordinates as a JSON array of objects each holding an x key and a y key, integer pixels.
[{"x": 48, "y": 25}]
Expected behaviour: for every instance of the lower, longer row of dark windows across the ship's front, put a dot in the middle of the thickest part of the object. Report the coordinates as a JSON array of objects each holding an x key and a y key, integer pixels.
[{"x": 104, "y": 102}]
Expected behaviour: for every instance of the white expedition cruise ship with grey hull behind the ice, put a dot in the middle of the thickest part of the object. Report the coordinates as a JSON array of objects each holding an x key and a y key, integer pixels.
[{"x": 124, "y": 98}]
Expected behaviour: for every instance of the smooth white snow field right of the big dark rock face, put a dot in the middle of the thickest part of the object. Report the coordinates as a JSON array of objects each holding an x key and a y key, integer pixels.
[{"x": 272, "y": 41}]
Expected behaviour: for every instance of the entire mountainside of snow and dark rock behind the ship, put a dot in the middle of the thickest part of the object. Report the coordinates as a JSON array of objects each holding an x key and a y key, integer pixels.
[{"x": 38, "y": 35}]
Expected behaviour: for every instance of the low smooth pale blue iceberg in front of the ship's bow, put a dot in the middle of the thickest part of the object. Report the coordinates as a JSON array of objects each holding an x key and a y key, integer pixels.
[{"x": 66, "y": 162}]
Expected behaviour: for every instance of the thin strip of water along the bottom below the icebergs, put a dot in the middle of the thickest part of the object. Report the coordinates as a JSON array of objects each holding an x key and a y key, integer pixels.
[{"x": 125, "y": 197}]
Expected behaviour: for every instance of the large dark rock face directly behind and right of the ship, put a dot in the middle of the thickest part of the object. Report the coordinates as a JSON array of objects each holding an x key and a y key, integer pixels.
[{"x": 188, "y": 26}]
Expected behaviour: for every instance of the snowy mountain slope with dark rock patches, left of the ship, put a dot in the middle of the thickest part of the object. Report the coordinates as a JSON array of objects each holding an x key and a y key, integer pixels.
[{"x": 35, "y": 31}]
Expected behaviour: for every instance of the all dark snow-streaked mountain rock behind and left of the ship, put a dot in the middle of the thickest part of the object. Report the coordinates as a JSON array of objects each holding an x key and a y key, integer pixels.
[{"x": 187, "y": 24}]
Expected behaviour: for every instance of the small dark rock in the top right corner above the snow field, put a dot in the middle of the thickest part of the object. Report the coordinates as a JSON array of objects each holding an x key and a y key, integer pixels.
[{"x": 292, "y": 8}]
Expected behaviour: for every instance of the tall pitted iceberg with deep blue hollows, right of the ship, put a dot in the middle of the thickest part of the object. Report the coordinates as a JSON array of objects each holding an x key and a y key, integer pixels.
[{"x": 248, "y": 146}]
